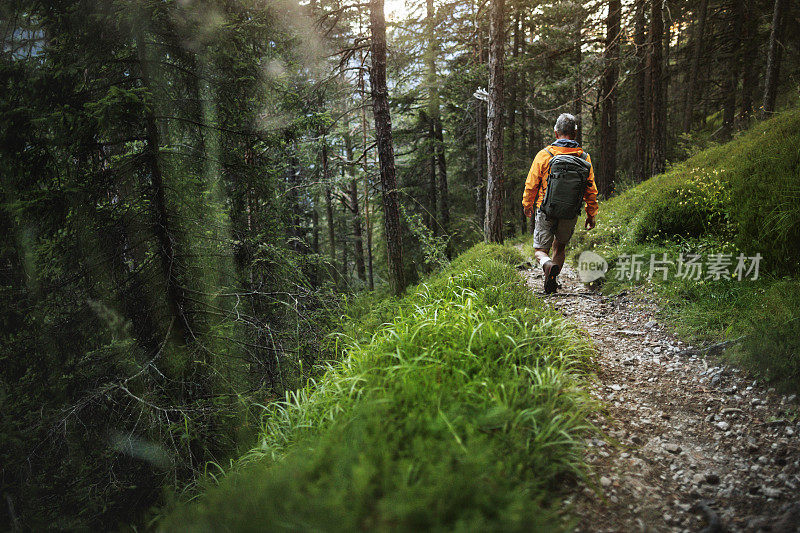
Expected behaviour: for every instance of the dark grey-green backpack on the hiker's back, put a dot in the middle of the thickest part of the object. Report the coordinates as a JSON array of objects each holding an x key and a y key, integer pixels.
[{"x": 566, "y": 183}]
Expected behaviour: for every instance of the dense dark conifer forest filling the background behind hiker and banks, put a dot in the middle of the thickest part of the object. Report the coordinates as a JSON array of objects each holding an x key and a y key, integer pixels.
[{"x": 189, "y": 188}]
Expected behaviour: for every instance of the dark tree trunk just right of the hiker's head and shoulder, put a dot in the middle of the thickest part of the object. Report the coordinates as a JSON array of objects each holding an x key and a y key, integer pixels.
[{"x": 608, "y": 121}]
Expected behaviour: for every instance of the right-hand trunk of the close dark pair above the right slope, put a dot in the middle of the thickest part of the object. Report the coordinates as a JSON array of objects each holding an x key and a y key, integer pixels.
[{"x": 656, "y": 70}]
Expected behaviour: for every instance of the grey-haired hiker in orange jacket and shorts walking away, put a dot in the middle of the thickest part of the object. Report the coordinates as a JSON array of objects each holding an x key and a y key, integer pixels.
[{"x": 568, "y": 171}]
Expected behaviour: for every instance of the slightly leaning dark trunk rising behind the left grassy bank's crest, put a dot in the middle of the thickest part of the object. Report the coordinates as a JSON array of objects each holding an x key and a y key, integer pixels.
[{"x": 383, "y": 134}]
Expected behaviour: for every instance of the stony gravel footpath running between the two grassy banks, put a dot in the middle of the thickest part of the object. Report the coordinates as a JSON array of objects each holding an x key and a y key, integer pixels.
[{"x": 693, "y": 443}]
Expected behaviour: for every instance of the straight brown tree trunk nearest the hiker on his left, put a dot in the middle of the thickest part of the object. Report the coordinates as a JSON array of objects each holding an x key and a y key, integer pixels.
[{"x": 493, "y": 226}]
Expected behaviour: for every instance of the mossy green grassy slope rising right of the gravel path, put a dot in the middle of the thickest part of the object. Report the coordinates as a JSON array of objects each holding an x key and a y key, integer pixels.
[{"x": 740, "y": 197}]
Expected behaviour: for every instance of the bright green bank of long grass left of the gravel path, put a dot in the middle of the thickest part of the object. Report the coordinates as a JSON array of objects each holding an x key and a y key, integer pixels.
[{"x": 457, "y": 407}]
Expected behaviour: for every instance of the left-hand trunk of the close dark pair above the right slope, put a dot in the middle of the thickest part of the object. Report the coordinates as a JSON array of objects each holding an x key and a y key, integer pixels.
[{"x": 642, "y": 95}]
